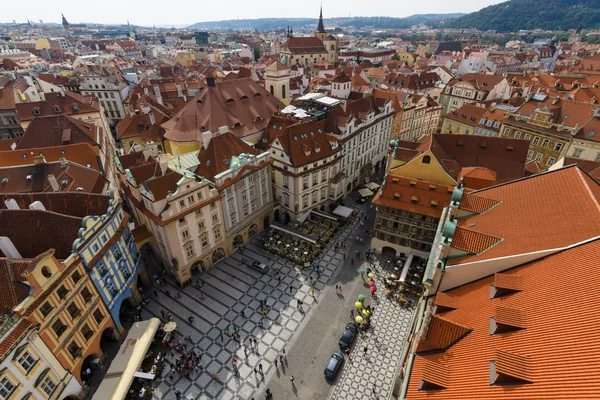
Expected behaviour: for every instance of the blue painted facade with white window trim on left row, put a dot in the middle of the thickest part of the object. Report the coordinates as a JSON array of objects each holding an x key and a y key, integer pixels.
[{"x": 111, "y": 257}]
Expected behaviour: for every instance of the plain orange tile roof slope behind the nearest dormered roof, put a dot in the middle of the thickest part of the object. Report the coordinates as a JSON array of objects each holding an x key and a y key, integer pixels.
[{"x": 567, "y": 197}]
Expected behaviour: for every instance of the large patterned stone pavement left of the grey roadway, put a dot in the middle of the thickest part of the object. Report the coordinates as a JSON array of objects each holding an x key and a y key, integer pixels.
[{"x": 230, "y": 288}]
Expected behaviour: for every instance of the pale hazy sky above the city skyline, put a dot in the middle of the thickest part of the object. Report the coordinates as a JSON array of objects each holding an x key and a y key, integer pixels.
[{"x": 187, "y": 12}]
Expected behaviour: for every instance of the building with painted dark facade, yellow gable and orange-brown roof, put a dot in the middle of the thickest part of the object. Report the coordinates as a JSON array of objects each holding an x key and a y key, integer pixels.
[{"x": 422, "y": 177}]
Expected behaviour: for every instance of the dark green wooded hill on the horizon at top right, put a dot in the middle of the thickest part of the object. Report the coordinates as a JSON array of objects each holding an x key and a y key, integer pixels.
[{"x": 514, "y": 15}]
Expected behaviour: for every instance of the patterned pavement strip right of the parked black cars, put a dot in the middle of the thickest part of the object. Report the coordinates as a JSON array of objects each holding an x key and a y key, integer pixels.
[{"x": 372, "y": 375}]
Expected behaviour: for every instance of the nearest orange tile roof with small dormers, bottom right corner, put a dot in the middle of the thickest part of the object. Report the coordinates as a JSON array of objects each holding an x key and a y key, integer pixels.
[{"x": 553, "y": 347}]
